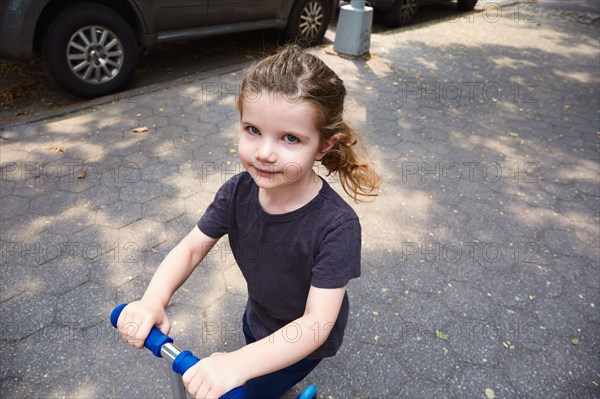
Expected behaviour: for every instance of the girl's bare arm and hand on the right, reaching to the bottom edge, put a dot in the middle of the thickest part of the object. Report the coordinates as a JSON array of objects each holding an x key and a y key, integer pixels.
[{"x": 218, "y": 374}]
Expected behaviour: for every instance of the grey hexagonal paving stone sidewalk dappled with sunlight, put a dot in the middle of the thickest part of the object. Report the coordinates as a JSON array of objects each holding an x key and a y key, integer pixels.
[{"x": 481, "y": 265}]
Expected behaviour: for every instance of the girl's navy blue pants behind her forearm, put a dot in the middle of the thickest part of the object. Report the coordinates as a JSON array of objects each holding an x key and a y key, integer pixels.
[{"x": 274, "y": 385}]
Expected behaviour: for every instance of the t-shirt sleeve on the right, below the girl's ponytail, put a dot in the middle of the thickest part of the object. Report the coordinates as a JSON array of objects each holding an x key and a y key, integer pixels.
[{"x": 338, "y": 258}]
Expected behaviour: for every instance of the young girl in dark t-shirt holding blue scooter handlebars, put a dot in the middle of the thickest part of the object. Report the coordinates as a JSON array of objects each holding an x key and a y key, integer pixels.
[{"x": 296, "y": 241}]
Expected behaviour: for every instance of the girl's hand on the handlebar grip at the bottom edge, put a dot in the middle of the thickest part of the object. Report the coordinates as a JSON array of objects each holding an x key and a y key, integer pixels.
[{"x": 214, "y": 376}]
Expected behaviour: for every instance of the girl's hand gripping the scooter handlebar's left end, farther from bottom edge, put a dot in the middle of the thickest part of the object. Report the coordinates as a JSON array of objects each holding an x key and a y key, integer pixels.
[{"x": 138, "y": 318}]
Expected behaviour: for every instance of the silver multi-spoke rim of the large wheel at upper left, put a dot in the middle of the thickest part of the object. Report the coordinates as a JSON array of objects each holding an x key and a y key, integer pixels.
[{"x": 95, "y": 54}]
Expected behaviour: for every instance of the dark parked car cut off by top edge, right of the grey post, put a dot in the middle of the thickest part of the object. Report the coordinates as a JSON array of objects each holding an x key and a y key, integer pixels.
[{"x": 401, "y": 12}]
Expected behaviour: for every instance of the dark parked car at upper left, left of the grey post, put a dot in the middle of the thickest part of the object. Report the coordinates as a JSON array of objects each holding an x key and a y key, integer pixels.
[{"x": 91, "y": 47}]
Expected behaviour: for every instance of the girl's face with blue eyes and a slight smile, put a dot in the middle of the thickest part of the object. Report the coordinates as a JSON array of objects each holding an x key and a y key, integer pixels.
[{"x": 279, "y": 140}]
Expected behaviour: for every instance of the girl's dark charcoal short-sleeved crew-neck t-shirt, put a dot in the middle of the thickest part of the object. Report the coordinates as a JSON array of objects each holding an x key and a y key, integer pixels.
[{"x": 282, "y": 255}]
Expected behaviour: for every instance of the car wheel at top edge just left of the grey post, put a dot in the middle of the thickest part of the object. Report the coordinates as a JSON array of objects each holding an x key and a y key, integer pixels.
[{"x": 308, "y": 21}]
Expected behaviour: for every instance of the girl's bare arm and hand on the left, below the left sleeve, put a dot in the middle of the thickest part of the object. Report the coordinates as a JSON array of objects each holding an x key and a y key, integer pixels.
[{"x": 138, "y": 318}]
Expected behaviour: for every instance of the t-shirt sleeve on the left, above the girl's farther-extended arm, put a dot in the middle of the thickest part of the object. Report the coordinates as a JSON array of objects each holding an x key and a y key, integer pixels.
[{"x": 214, "y": 222}]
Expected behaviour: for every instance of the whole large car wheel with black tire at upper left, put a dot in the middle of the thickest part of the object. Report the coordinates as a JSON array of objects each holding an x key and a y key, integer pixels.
[{"x": 90, "y": 50}]
